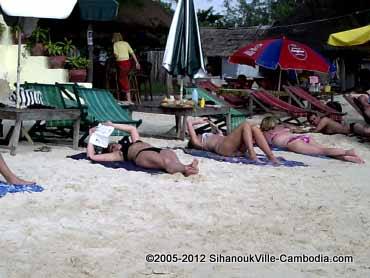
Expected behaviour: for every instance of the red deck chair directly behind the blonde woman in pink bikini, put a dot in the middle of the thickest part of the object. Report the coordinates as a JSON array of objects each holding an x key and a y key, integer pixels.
[{"x": 266, "y": 100}]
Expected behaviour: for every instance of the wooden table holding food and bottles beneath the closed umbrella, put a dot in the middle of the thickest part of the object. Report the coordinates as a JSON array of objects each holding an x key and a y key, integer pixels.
[{"x": 181, "y": 114}]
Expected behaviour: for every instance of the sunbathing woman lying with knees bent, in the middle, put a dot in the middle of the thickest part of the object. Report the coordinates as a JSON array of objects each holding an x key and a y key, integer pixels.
[{"x": 237, "y": 143}]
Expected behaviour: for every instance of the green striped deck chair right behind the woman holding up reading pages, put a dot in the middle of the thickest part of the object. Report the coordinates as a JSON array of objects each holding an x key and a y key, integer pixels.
[{"x": 101, "y": 106}]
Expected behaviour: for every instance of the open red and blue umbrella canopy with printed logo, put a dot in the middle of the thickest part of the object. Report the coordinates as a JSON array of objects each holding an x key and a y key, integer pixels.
[{"x": 282, "y": 52}]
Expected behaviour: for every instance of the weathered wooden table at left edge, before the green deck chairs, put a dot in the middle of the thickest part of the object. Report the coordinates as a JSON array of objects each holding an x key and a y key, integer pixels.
[{"x": 19, "y": 115}]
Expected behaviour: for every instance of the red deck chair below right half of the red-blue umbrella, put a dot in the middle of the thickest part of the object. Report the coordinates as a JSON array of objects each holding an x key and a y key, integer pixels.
[{"x": 298, "y": 95}]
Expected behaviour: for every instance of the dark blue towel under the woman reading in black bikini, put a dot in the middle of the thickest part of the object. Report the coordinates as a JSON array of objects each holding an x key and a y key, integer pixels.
[{"x": 127, "y": 165}]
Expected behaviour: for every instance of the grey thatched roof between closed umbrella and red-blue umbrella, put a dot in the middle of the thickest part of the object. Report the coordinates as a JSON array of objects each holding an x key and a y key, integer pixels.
[{"x": 223, "y": 42}]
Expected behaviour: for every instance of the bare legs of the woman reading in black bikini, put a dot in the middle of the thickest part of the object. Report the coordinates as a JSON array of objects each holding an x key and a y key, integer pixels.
[{"x": 166, "y": 160}]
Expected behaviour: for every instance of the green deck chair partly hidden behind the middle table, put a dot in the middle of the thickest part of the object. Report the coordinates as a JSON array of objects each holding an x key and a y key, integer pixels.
[{"x": 237, "y": 117}]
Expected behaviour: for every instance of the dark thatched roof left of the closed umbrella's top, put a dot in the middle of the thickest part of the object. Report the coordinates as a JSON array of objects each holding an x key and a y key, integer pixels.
[{"x": 146, "y": 13}]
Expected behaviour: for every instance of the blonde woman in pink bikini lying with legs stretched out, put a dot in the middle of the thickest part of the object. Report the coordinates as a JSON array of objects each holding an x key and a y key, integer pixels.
[{"x": 282, "y": 136}]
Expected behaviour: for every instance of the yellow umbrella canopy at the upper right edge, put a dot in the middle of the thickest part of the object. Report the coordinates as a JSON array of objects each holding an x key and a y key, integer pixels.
[{"x": 350, "y": 37}]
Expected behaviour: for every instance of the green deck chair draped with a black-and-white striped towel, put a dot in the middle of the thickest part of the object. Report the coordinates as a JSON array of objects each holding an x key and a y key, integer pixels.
[{"x": 51, "y": 97}]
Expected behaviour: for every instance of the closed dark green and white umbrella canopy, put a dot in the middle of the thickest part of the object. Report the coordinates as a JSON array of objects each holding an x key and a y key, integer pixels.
[{"x": 183, "y": 54}]
